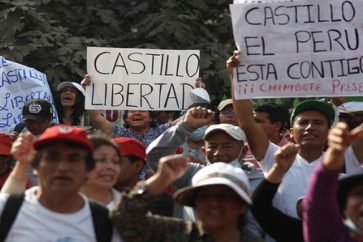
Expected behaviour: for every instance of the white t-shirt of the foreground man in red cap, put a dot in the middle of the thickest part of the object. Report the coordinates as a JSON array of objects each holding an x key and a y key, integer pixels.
[{"x": 34, "y": 222}]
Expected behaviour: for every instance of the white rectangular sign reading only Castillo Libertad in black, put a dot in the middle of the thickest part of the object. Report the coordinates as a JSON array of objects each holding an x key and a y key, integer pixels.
[{"x": 144, "y": 79}]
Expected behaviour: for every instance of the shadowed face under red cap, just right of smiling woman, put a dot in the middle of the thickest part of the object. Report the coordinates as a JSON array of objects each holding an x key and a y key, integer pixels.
[{"x": 129, "y": 171}]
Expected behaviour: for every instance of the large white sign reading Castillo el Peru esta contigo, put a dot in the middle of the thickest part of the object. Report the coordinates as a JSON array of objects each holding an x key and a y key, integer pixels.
[{"x": 298, "y": 48}]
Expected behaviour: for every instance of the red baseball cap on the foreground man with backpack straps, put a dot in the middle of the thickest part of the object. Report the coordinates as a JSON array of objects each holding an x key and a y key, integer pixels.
[{"x": 64, "y": 133}]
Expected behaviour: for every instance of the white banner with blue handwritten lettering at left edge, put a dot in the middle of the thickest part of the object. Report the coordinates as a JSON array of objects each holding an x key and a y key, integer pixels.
[{"x": 18, "y": 84}]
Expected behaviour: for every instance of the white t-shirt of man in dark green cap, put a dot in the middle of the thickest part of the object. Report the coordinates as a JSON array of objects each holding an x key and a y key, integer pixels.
[{"x": 296, "y": 180}]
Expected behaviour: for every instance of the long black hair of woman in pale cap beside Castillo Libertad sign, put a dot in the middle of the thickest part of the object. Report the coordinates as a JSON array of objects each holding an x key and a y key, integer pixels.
[{"x": 78, "y": 110}]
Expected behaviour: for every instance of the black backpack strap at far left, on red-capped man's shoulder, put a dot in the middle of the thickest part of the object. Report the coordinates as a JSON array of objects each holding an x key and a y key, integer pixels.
[{"x": 10, "y": 211}]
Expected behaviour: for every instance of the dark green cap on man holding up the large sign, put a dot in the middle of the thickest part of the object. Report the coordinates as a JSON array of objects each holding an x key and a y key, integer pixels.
[{"x": 320, "y": 106}]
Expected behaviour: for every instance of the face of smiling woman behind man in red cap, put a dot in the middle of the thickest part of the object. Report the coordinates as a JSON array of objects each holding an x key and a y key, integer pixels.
[{"x": 107, "y": 167}]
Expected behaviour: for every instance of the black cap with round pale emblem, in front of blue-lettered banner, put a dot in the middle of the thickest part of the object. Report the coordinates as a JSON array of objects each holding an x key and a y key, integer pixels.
[{"x": 37, "y": 110}]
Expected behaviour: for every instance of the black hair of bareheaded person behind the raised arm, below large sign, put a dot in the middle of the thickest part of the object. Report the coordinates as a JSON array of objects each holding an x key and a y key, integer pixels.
[{"x": 276, "y": 113}]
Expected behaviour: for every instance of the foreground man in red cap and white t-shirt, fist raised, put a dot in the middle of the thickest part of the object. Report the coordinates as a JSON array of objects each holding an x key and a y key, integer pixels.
[{"x": 55, "y": 210}]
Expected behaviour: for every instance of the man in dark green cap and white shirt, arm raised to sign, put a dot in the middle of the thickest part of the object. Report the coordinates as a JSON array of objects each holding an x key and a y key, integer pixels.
[{"x": 310, "y": 122}]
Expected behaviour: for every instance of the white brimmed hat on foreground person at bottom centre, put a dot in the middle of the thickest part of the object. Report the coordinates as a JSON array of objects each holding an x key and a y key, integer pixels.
[{"x": 218, "y": 173}]
